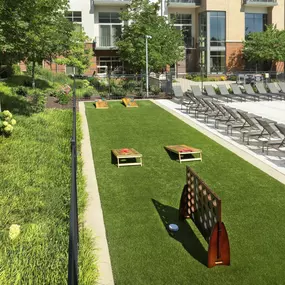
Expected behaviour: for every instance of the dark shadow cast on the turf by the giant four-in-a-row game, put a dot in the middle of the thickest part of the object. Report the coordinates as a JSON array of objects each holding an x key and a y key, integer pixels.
[{"x": 185, "y": 234}]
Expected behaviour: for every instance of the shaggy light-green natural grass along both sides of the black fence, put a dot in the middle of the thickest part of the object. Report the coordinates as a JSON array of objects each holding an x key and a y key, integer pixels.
[{"x": 35, "y": 194}]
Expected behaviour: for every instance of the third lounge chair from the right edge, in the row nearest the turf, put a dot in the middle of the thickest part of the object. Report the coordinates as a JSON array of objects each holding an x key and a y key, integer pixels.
[{"x": 254, "y": 129}]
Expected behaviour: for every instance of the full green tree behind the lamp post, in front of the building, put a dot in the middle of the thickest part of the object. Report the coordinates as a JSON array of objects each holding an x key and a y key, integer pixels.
[{"x": 164, "y": 48}]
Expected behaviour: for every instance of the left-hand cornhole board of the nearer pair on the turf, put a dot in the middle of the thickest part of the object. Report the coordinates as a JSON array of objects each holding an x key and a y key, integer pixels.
[{"x": 124, "y": 154}]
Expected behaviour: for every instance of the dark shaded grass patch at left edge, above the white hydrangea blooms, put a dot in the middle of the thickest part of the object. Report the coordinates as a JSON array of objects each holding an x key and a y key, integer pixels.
[{"x": 16, "y": 105}]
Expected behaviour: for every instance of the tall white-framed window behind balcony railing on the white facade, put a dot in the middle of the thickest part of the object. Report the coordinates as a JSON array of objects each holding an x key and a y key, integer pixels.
[{"x": 110, "y": 26}]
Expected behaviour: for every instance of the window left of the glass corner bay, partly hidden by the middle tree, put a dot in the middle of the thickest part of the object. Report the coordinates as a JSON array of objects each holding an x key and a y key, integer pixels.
[{"x": 183, "y": 22}]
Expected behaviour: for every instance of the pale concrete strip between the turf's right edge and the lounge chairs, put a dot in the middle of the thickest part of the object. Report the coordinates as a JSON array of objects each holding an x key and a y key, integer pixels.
[{"x": 272, "y": 164}]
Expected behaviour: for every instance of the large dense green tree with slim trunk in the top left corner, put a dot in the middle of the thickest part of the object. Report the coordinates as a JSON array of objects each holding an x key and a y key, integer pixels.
[{"x": 33, "y": 30}]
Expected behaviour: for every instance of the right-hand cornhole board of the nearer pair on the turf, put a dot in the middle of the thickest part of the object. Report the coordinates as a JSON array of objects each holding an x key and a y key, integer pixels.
[{"x": 183, "y": 152}]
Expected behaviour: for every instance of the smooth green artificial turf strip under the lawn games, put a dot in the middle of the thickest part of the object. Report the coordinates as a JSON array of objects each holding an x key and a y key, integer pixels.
[{"x": 139, "y": 201}]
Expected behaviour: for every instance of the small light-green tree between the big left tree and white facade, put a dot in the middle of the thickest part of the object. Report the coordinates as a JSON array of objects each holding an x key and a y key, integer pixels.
[{"x": 78, "y": 55}]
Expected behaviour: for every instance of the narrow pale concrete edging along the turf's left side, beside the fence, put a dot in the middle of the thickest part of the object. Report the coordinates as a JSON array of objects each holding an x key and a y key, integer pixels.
[{"x": 94, "y": 215}]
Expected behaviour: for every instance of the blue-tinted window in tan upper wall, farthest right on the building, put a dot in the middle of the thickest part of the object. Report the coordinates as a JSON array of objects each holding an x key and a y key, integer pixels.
[{"x": 255, "y": 22}]
